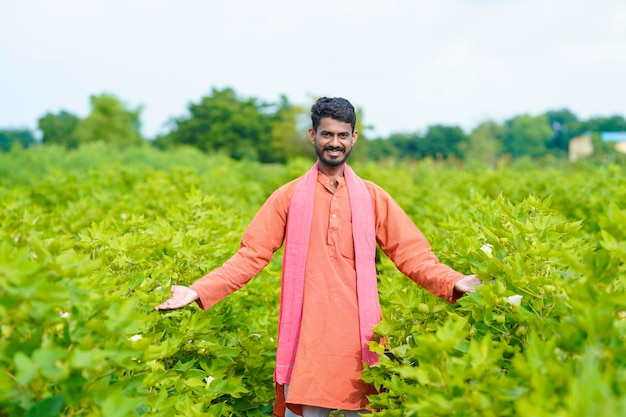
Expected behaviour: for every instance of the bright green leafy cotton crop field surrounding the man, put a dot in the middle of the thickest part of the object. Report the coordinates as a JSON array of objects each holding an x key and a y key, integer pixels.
[{"x": 92, "y": 240}]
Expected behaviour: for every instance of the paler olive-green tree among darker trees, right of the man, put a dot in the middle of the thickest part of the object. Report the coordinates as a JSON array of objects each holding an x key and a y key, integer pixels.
[{"x": 485, "y": 143}]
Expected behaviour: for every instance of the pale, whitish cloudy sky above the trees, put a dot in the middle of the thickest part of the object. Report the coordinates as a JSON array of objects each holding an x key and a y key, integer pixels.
[{"x": 406, "y": 64}]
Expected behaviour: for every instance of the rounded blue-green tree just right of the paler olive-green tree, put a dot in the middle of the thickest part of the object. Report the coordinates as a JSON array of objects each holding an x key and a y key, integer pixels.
[{"x": 527, "y": 135}]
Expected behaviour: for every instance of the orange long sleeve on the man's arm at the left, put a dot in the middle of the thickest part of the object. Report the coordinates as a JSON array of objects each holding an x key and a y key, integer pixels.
[{"x": 263, "y": 236}]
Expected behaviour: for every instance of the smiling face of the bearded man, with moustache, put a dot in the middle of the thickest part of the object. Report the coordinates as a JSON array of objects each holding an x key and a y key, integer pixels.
[{"x": 333, "y": 141}]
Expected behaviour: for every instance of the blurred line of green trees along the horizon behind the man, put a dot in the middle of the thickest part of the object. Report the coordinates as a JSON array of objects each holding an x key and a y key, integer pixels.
[{"x": 273, "y": 132}]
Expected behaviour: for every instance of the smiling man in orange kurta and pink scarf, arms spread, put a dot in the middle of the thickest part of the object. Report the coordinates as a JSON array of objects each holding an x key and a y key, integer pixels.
[{"x": 330, "y": 221}]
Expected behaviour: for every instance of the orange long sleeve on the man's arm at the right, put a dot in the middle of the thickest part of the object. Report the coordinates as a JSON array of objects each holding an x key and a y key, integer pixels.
[{"x": 402, "y": 241}]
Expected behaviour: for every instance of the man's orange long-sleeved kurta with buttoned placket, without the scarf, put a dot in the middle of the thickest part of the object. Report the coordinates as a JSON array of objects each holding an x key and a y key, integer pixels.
[{"x": 328, "y": 363}]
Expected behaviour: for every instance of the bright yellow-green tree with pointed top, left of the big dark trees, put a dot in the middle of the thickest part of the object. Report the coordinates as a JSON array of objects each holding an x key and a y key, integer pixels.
[{"x": 110, "y": 122}]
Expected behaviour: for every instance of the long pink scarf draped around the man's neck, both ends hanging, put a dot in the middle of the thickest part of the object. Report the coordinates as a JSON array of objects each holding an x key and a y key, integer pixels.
[{"x": 294, "y": 263}]
